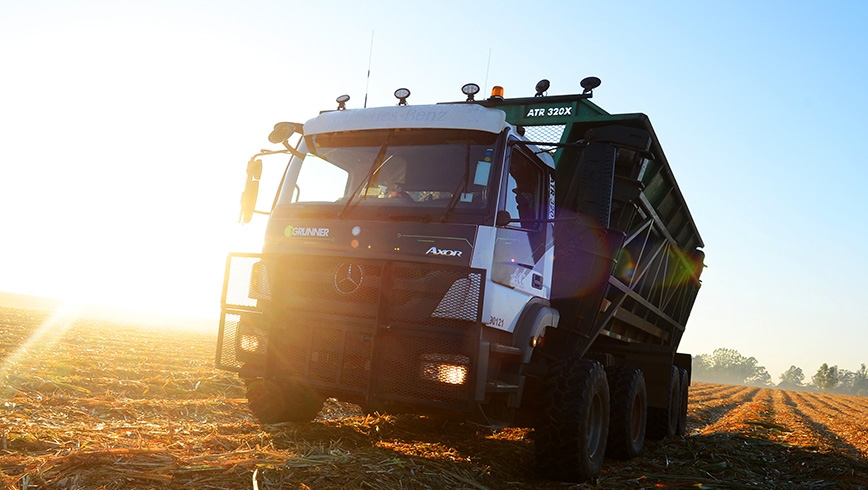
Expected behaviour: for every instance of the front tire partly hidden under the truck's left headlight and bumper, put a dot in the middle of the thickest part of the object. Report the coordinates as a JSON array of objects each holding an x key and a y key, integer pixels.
[{"x": 273, "y": 402}]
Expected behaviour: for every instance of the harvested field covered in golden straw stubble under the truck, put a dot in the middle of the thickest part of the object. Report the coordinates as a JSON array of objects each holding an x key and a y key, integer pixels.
[{"x": 95, "y": 404}]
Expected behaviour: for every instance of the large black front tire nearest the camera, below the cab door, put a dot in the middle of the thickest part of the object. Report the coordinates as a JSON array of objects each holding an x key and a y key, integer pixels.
[{"x": 573, "y": 423}]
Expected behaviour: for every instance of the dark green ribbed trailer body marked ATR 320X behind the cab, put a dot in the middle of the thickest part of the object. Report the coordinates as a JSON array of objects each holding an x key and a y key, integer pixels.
[{"x": 651, "y": 290}]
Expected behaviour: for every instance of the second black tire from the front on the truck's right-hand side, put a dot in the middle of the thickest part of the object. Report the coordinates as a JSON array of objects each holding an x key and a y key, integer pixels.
[{"x": 627, "y": 413}]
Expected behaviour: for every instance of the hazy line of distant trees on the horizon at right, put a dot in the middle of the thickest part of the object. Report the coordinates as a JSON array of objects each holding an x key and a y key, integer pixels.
[{"x": 728, "y": 366}]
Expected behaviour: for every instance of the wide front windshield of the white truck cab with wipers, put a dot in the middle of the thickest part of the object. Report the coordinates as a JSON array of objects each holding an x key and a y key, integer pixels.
[{"x": 449, "y": 170}]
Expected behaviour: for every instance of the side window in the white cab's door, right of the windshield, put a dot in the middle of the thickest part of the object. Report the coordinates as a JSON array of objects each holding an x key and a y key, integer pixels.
[{"x": 524, "y": 190}]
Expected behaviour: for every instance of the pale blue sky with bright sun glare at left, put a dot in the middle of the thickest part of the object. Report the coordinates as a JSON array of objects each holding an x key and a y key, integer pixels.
[{"x": 125, "y": 128}]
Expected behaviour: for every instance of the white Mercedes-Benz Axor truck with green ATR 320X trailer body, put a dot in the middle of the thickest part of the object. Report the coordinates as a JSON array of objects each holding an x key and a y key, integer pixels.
[{"x": 523, "y": 261}]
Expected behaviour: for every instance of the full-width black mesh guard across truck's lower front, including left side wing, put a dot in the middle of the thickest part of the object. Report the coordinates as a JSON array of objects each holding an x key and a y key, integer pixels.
[{"x": 398, "y": 333}]
